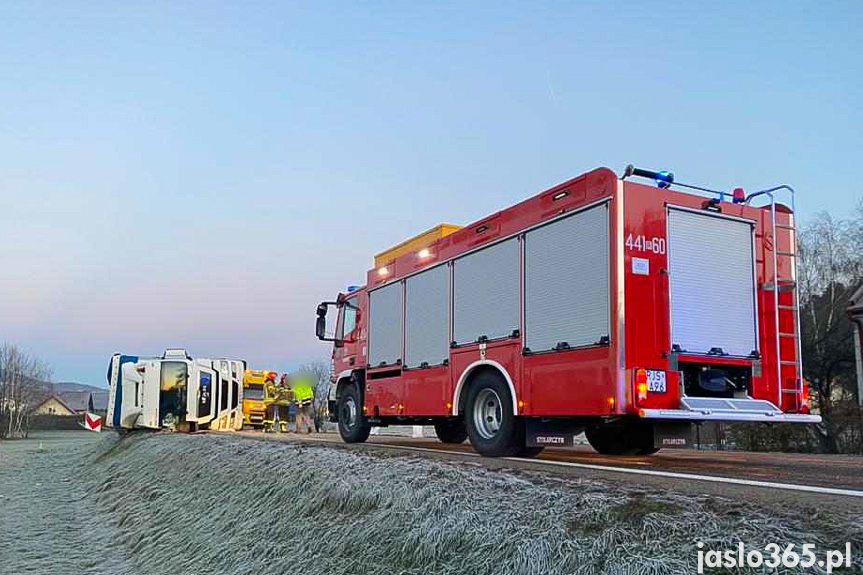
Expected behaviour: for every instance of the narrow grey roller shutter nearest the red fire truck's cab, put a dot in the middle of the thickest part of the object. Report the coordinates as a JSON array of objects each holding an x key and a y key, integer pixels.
[{"x": 385, "y": 325}]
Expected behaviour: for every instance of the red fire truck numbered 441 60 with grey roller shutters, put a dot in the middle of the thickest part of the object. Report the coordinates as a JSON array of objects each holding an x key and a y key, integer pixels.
[{"x": 621, "y": 309}]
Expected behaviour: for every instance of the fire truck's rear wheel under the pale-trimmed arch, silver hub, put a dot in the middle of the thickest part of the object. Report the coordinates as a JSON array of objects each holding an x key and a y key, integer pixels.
[{"x": 493, "y": 429}]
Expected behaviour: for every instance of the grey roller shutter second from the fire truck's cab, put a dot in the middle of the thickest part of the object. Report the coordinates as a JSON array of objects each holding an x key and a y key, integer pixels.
[{"x": 426, "y": 317}]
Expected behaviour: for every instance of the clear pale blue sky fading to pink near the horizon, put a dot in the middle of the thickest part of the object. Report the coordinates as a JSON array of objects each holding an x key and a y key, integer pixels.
[{"x": 202, "y": 174}]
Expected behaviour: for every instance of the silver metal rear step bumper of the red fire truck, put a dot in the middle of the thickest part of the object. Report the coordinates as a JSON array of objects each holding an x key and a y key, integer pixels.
[{"x": 728, "y": 409}]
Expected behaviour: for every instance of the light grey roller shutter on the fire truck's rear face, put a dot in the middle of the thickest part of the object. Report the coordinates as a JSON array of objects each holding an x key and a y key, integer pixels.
[{"x": 711, "y": 282}]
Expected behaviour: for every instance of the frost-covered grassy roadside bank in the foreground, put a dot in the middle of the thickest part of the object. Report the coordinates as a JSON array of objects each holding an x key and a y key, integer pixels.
[{"x": 181, "y": 504}]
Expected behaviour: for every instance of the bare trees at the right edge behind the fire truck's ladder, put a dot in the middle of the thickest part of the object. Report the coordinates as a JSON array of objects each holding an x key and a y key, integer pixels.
[{"x": 831, "y": 267}]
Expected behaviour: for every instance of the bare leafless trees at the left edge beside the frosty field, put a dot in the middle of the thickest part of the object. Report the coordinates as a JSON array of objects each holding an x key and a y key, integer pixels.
[{"x": 22, "y": 380}]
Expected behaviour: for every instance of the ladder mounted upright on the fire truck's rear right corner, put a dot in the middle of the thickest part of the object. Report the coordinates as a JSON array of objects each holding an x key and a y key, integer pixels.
[{"x": 786, "y": 300}]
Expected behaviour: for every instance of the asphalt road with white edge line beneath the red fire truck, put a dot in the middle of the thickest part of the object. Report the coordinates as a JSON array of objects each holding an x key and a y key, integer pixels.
[{"x": 834, "y": 481}]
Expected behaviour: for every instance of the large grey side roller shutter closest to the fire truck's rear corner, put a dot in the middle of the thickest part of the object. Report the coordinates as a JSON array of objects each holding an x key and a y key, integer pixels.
[{"x": 566, "y": 281}]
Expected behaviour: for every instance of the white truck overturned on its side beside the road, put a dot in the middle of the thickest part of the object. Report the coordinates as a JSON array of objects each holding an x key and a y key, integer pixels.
[{"x": 175, "y": 392}]
